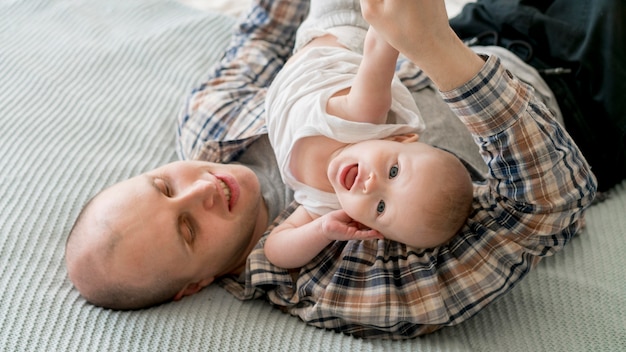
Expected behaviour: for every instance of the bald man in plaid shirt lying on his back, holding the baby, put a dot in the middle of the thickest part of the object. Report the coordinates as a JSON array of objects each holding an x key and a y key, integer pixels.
[{"x": 530, "y": 205}]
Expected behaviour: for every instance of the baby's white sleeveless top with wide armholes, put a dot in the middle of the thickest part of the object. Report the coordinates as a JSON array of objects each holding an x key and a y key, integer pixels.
[{"x": 296, "y": 108}]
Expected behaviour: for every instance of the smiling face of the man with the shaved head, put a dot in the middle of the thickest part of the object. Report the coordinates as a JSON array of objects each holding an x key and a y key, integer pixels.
[{"x": 190, "y": 219}]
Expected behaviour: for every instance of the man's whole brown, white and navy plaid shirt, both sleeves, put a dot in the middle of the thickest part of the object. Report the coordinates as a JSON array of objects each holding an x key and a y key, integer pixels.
[{"x": 529, "y": 207}]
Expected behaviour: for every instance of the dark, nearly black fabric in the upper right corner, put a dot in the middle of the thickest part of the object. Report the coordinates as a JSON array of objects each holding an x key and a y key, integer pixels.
[{"x": 585, "y": 37}]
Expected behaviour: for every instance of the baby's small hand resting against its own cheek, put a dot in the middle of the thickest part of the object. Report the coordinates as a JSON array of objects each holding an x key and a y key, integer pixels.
[{"x": 338, "y": 226}]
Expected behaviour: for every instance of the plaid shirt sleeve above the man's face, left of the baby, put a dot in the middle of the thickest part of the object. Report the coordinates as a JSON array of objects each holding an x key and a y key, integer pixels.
[{"x": 227, "y": 112}]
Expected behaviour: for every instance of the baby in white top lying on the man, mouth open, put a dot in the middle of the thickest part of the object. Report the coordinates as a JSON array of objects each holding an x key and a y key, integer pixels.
[{"x": 345, "y": 133}]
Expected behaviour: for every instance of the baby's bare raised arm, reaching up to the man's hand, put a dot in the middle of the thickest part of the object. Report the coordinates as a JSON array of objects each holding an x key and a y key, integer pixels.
[{"x": 369, "y": 98}]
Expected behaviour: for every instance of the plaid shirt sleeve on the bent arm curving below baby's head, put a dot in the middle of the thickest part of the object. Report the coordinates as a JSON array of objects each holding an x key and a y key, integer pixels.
[{"x": 530, "y": 207}]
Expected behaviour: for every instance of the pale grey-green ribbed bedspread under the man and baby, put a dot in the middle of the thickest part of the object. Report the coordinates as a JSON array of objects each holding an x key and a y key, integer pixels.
[{"x": 89, "y": 91}]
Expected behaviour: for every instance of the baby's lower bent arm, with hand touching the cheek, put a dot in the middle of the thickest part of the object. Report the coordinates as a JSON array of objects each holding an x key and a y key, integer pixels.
[{"x": 302, "y": 236}]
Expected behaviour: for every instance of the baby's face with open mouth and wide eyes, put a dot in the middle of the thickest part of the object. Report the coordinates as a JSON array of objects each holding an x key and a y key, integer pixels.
[{"x": 385, "y": 184}]
